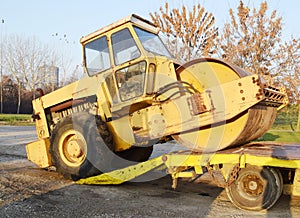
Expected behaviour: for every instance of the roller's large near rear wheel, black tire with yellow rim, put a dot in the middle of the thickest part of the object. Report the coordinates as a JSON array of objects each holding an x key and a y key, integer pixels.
[{"x": 73, "y": 148}]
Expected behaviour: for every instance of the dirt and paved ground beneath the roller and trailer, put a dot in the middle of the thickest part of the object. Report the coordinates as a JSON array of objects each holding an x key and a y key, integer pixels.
[{"x": 27, "y": 191}]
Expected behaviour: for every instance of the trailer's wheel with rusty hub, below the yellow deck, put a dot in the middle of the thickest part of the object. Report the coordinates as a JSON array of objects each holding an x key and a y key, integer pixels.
[{"x": 256, "y": 188}]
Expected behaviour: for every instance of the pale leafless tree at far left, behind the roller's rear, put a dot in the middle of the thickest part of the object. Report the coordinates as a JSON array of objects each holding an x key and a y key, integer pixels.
[{"x": 24, "y": 57}]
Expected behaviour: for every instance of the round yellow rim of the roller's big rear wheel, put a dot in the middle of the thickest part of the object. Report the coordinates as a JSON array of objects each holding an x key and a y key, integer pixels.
[{"x": 72, "y": 148}]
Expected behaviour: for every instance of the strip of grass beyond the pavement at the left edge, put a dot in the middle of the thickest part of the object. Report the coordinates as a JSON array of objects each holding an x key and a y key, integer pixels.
[{"x": 16, "y": 119}]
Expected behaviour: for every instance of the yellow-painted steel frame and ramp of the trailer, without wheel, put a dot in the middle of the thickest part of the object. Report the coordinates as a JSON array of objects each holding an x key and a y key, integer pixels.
[{"x": 178, "y": 163}]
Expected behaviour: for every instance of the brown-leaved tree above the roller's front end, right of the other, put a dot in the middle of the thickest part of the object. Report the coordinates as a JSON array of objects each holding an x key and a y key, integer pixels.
[{"x": 253, "y": 40}]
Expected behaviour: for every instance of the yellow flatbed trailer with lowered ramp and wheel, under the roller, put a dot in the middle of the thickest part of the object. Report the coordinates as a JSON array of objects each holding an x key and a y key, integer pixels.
[{"x": 254, "y": 175}]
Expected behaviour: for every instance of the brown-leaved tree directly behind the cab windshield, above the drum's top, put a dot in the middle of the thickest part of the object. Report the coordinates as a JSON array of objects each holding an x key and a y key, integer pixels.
[{"x": 190, "y": 34}]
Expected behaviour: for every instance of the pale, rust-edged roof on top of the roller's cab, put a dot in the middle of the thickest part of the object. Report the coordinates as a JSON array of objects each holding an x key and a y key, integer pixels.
[{"x": 133, "y": 18}]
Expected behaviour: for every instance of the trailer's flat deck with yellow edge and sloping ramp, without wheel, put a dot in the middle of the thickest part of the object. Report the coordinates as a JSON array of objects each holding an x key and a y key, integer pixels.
[{"x": 256, "y": 153}]
